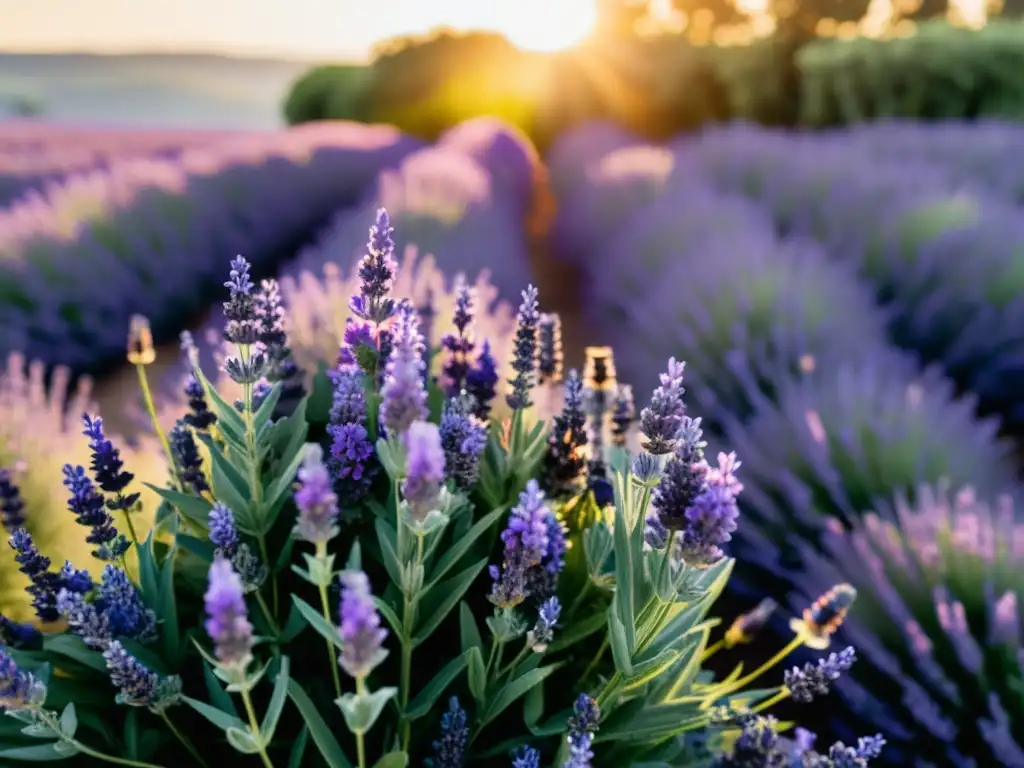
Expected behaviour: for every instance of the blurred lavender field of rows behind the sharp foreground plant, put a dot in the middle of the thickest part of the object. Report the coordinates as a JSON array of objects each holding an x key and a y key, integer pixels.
[{"x": 849, "y": 307}]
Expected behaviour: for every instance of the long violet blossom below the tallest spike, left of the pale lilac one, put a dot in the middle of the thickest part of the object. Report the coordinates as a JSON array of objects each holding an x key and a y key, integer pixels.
[{"x": 351, "y": 457}]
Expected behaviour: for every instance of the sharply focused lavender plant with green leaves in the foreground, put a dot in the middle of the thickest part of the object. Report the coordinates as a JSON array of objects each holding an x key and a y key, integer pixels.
[{"x": 444, "y": 607}]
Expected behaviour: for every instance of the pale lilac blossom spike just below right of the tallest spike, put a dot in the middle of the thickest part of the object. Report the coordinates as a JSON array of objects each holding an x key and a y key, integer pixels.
[{"x": 404, "y": 399}]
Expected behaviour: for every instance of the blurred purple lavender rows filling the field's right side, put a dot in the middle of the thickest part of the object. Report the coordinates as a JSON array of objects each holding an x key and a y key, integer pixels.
[{"x": 849, "y": 307}]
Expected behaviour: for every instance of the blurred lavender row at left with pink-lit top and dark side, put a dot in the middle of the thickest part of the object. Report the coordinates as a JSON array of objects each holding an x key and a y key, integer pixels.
[{"x": 151, "y": 236}]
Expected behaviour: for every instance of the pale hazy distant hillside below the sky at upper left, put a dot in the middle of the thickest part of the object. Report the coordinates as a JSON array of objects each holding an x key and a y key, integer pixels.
[{"x": 148, "y": 91}]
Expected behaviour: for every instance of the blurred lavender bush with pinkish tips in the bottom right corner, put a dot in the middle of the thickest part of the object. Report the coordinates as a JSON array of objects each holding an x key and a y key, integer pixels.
[{"x": 940, "y": 639}]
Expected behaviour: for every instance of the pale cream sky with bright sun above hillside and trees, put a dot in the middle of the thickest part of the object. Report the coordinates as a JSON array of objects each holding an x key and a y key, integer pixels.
[{"x": 305, "y": 29}]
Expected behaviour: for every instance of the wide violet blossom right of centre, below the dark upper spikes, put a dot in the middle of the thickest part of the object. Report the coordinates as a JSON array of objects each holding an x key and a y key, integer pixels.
[{"x": 527, "y": 540}]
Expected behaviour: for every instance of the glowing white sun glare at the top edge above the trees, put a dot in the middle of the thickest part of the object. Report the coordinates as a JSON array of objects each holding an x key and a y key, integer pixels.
[{"x": 547, "y": 26}]
